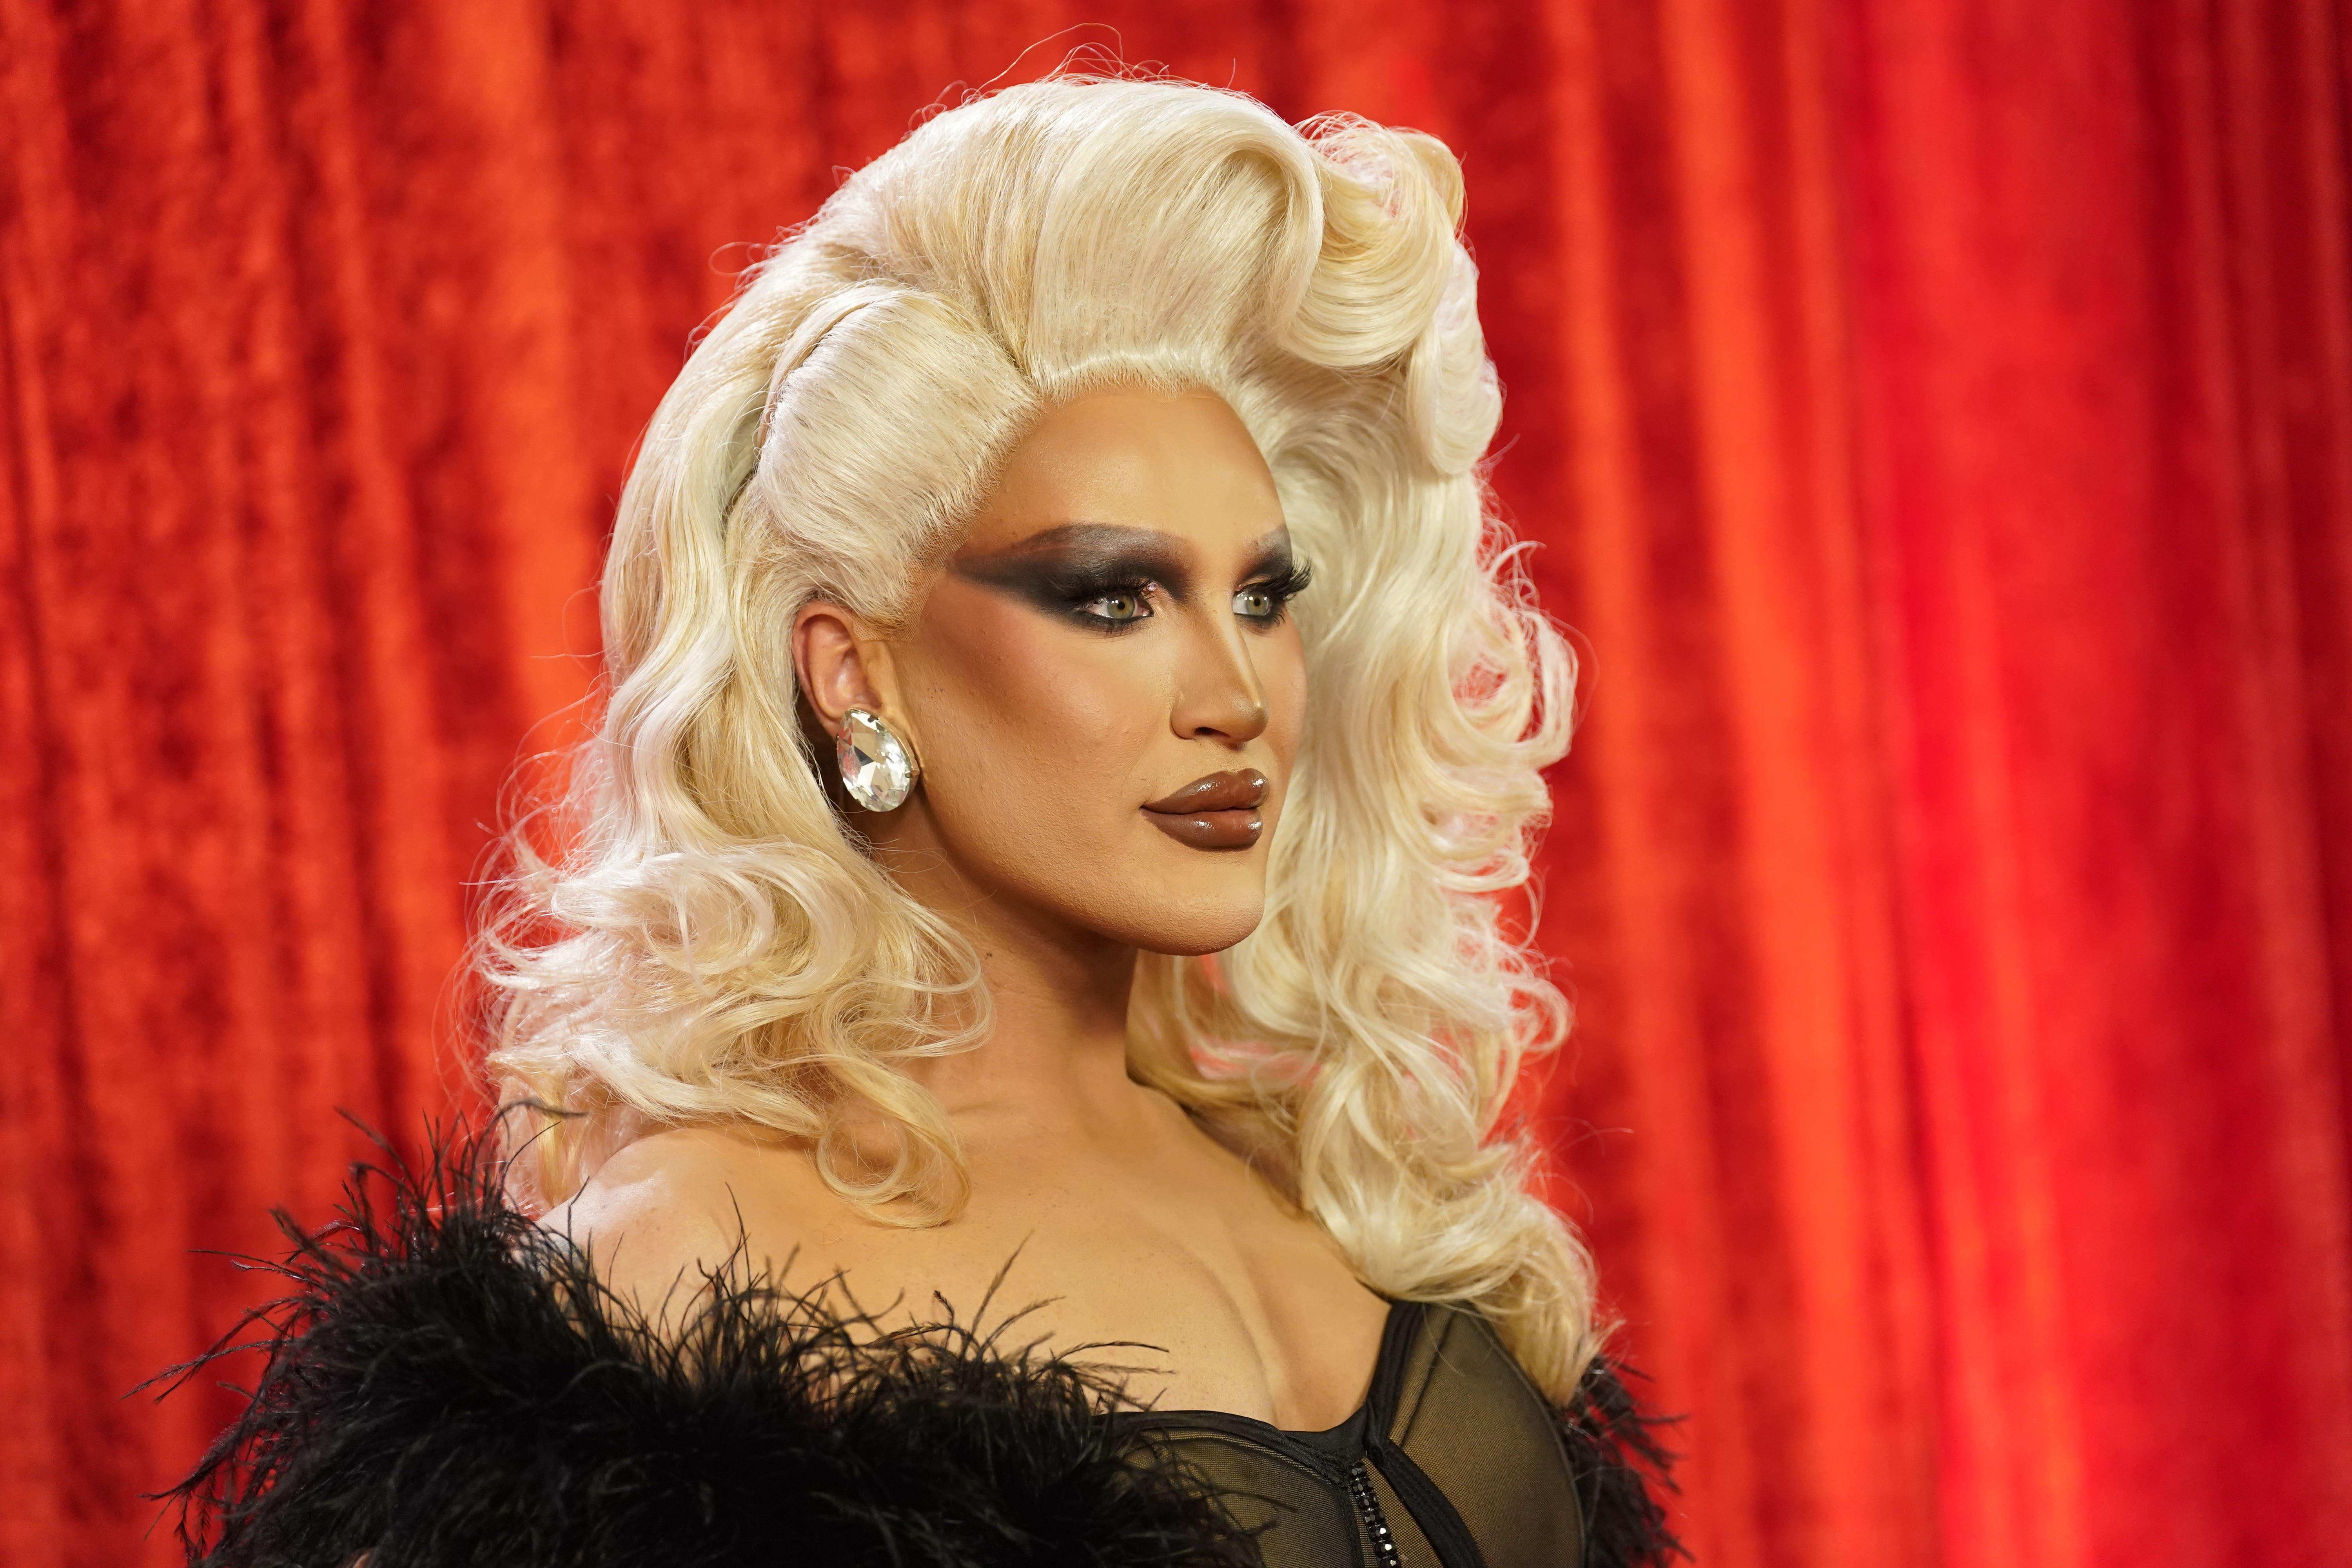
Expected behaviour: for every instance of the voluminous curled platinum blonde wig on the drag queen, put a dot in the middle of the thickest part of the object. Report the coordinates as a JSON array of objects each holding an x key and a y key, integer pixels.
[{"x": 719, "y": 944}]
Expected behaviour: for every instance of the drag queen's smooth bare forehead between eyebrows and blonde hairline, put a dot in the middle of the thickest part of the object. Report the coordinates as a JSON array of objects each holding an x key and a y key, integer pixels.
[{"x": 1168, "y": 462}]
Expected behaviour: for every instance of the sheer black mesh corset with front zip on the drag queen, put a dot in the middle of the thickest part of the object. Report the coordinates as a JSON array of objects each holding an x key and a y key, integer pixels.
[{"x": 1450, "y": 1463}]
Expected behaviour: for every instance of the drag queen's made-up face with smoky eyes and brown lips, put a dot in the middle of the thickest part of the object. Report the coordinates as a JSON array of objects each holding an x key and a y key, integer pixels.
[{"x": 1104, "y": 685}]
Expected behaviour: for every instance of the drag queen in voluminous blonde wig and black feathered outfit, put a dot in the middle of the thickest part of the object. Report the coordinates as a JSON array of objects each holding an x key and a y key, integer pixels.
[{"x": 1010, "y": 1068}]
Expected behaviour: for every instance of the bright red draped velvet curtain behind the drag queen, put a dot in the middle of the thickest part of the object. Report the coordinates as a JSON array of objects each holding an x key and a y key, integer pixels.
[{"x": 1935, "y": 417}]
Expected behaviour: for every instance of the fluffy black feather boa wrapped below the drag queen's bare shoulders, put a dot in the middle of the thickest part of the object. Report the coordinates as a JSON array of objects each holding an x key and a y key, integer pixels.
[{"x": 450, "y": 1386}]
